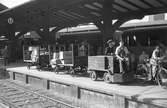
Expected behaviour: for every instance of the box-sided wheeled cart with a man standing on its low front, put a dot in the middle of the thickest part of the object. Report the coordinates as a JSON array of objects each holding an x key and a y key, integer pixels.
[{"x": 107, "y": 68}]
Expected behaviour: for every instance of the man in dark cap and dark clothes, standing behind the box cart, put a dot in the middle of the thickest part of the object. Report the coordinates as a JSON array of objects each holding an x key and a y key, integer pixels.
[{"x": 111, "y": 47}]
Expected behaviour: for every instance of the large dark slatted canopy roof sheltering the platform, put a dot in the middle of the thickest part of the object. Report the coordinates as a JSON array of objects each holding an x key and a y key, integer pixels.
[{"x": 38, "y": 14}]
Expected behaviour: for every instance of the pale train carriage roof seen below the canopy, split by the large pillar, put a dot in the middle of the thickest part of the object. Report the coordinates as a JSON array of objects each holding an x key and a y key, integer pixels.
[{"x": 88, "y": 29}]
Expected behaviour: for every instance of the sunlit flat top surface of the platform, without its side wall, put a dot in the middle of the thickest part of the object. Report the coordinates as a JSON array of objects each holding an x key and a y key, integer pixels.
[{"x": 146, "y": 93}]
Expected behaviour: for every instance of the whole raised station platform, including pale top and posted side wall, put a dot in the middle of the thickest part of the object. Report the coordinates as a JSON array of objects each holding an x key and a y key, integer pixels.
[{"x": 96, "y": 94}]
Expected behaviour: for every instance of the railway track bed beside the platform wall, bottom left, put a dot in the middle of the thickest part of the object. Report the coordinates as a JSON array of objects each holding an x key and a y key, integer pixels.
[{"x": 13, "y": 95}]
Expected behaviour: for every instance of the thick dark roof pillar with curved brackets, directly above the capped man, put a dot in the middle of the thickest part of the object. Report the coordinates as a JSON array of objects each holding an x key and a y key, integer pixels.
[{"x": 107, "y": 26}]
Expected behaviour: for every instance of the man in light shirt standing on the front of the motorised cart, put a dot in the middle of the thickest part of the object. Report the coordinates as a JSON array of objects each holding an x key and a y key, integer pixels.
[{"x": 122, "y": 55}]
